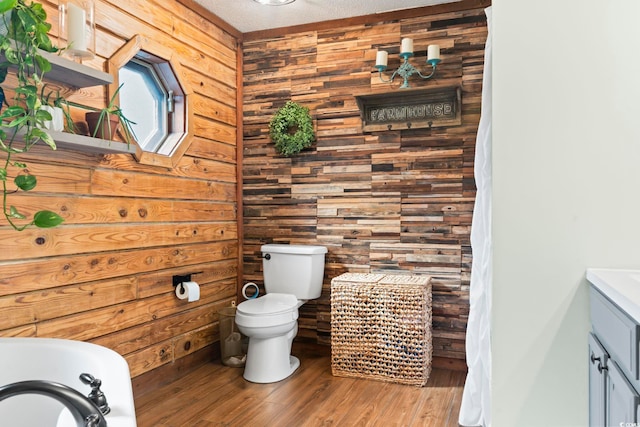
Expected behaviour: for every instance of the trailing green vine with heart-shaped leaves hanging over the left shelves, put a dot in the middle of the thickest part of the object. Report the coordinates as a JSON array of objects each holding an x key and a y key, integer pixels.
[{"x": 23, "y": 119}]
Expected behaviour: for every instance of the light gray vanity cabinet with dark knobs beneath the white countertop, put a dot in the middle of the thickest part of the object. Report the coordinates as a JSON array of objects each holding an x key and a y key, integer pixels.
[{"x": 614, "y": 370}]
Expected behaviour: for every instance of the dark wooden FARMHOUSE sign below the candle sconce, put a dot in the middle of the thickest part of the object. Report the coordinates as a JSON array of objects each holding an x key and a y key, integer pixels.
[{"x": 410, "y": 109}]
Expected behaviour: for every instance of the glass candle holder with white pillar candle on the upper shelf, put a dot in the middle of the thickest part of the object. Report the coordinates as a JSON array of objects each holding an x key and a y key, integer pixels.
[{"x": 77, "y": 29}]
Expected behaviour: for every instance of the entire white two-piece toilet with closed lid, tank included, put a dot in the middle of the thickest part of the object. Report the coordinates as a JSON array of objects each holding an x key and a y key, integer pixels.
[{"x": 292, "y": 275}]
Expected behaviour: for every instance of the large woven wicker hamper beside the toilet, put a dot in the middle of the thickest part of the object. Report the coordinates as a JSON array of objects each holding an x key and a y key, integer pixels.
[{"x": 381, "y": 327}]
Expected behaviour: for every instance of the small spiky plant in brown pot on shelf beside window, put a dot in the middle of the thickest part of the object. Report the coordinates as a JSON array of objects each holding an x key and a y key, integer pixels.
[{"x": 106, "y": 122}]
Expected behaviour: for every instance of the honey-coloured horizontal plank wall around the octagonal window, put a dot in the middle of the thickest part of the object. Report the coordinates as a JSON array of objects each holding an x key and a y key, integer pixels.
[{"x": 105, "y": 275}]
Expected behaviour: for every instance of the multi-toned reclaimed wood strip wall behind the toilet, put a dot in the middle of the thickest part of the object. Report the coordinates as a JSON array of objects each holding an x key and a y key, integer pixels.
[{"x": 385, "y": 202}]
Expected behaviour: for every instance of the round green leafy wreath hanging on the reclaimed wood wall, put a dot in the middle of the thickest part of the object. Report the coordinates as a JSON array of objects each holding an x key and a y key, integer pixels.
[{"x": 291, "y": 129}]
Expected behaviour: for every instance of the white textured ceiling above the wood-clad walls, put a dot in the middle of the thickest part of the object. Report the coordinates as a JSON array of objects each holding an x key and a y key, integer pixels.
[{"x": 247, "y": 15}]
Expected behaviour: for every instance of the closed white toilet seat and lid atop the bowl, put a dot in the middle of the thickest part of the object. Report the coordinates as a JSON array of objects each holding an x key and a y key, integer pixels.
[{"x": 269, "y": 310}]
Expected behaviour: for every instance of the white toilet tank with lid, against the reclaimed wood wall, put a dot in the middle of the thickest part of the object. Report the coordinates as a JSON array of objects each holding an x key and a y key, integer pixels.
[{"x": 294, "y": 269}]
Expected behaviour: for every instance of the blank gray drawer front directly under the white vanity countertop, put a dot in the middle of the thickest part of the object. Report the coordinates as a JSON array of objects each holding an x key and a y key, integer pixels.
[{"x": 617, "y": 332}]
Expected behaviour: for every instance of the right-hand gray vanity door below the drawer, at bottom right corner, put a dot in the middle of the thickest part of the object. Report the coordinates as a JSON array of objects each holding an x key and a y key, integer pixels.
[{"x": 622, "y": 399}]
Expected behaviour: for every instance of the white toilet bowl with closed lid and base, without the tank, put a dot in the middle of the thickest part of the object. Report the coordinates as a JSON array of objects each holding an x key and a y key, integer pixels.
[{"x": 271, "y": 324}]
